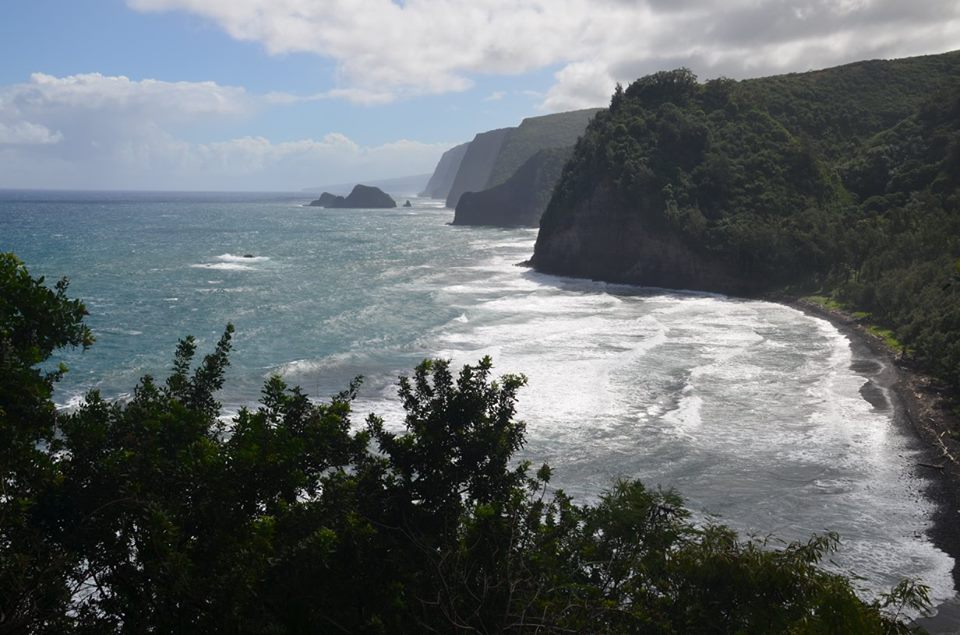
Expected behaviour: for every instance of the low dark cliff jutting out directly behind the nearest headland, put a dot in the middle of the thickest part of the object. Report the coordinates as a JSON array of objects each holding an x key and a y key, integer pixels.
[{"x": 520, "y": 200}]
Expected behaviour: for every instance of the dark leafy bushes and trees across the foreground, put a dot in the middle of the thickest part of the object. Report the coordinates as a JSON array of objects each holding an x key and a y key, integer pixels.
[{"x": 156, "y": 515}]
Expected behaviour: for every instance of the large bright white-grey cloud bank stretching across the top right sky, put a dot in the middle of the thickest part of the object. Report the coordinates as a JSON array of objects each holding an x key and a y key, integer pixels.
[{"x": 433, "y": 46}]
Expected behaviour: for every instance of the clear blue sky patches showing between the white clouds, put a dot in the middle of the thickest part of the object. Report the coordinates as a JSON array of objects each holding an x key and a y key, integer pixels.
[{"x": 105, "y": 36}]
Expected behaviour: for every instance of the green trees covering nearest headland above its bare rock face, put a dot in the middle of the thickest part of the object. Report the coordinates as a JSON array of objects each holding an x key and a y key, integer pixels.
[{"x": 704, "y": 163}]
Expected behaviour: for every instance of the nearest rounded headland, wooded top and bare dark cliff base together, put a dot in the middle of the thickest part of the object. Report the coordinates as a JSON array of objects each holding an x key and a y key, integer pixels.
[{"x": 684, "y": 185}]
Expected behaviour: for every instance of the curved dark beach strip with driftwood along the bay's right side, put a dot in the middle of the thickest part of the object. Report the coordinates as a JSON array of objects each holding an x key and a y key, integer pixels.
[{"x": 918, "y": 407}]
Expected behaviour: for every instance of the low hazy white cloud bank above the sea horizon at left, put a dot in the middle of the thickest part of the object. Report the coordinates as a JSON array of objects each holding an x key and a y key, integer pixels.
[{"x": 100, "y": 132}]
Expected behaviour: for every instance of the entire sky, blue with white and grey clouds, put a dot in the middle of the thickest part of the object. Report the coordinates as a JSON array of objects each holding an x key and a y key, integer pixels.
[{"x": 281, "y": 95}]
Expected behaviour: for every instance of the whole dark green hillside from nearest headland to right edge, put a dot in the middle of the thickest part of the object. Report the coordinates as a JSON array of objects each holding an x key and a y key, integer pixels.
[{"x": 843, "y": 182}]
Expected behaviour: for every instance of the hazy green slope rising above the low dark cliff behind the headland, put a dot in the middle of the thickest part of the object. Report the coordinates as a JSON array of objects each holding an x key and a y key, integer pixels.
[{"x": 558, "y": 130}]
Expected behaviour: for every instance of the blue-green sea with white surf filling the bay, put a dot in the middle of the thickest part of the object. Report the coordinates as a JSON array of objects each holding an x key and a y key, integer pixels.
[{"x": 753, "y": 411}]
